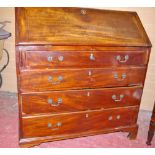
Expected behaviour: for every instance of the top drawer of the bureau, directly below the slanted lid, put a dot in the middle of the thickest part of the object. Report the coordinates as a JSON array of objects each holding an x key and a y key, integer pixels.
[{"x": 64, "y": 59}]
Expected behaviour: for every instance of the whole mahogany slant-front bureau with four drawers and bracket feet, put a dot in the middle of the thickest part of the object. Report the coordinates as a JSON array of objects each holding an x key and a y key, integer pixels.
[{"x": 80, "y": 72}]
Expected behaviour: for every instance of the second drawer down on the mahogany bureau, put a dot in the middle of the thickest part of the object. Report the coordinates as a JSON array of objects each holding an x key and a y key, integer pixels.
[{"x": 46, "y": 80}]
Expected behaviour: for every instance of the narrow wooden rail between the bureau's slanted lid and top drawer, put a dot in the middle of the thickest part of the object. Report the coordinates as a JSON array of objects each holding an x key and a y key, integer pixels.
[{"x": 50, "y": 47}]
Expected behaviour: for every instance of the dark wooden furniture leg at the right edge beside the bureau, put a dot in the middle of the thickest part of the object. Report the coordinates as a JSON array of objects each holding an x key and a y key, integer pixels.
[{"x": 151, "y": 127}]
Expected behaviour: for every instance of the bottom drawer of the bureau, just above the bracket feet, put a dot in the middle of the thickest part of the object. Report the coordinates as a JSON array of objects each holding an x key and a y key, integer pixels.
[{"x": 57, "y": 125}]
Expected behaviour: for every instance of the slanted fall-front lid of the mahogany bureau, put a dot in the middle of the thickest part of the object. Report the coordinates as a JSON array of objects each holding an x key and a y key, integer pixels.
[{"x": 79, "y": 26}]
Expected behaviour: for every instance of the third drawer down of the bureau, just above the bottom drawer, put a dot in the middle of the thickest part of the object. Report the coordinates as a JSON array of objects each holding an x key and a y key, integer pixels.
[{"x": 76, "y": 100}]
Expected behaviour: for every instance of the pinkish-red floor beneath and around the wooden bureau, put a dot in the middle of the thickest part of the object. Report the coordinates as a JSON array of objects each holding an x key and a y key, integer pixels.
[{"x": 9, "y": 131}]
